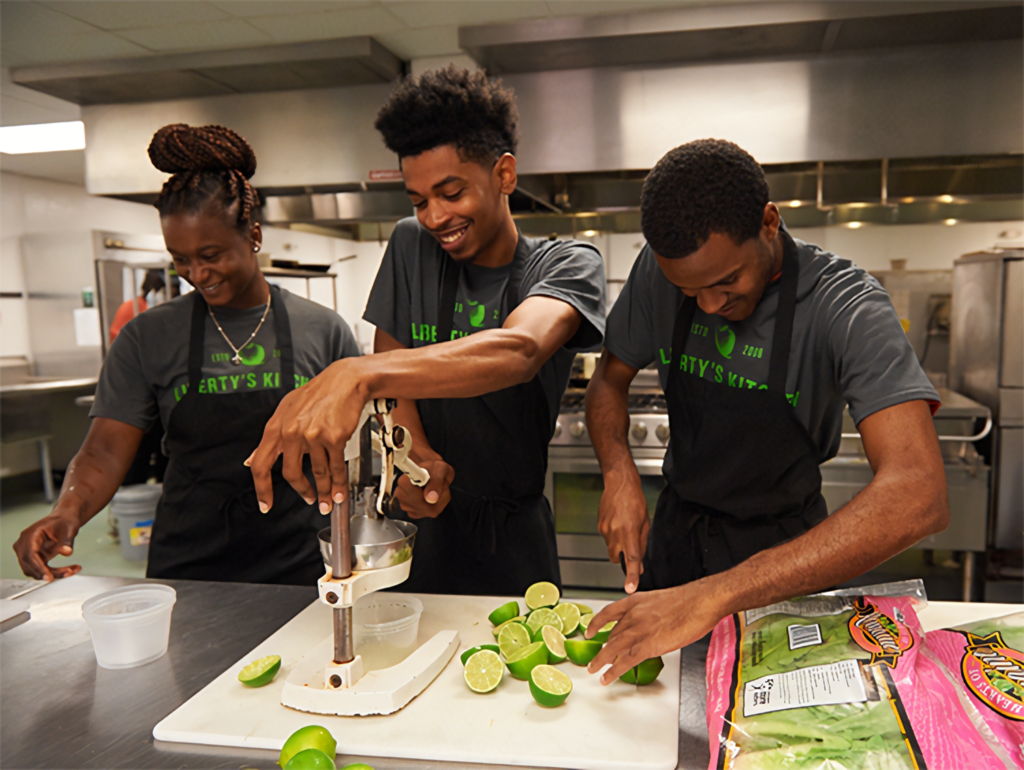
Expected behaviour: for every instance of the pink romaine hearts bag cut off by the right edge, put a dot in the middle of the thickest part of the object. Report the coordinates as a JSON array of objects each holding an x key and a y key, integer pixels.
[{"x": 987, "y": 658}]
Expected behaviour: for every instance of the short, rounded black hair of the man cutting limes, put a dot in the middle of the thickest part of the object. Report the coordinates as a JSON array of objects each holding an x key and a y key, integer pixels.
[{"x": 701, "y": 188}]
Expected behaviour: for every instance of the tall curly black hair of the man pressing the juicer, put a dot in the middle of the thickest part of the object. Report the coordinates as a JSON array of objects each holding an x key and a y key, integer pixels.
[{"x": 451, "y": 107}]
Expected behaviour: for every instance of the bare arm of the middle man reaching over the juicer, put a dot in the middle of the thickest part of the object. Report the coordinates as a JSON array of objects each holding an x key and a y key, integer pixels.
[{"x": 320, "y": 418}]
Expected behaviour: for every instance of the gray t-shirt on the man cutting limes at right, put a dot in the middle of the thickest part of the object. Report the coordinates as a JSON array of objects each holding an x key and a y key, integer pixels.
[{"x": 848, "y": 346}]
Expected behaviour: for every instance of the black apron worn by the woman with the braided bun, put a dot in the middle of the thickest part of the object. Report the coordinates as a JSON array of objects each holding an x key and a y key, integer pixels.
[{"x": 208, "y": 525}]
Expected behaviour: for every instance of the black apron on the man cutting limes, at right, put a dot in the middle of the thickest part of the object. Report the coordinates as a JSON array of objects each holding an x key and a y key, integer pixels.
[{"x": 745, "y": 472}]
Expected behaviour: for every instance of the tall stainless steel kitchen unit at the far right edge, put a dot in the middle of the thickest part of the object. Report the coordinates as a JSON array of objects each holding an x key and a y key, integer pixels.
[{"x": 987, "y": 363}]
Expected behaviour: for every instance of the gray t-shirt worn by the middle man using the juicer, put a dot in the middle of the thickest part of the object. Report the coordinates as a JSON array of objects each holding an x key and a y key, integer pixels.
[{"x": 407, "y": 291}]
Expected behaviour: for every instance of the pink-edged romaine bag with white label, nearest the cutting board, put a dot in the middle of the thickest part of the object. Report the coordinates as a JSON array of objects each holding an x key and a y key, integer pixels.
[{"x": 835, "y": 683}]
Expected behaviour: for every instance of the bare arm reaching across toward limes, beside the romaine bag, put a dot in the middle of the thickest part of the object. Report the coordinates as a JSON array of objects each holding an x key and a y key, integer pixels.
[{"x": 907, "y": 501}]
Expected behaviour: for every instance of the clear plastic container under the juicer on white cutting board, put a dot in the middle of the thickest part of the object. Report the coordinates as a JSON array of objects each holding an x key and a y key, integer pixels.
[{"x": 387, "y": 629}]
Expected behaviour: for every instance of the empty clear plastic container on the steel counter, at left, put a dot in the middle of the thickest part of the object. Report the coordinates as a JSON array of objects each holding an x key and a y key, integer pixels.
[{"x": 131, "y": 626}]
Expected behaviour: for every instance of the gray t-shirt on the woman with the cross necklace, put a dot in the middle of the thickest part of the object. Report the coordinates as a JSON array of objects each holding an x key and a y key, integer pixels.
[{"x": 146, "y": 373}]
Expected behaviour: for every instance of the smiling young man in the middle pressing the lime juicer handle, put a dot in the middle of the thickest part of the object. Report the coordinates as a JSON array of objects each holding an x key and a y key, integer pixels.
[{"x": 477, "y": 331}]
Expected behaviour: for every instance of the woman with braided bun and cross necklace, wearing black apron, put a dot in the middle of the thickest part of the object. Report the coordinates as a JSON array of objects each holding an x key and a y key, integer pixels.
[{"x": 212, "y": 366}]
